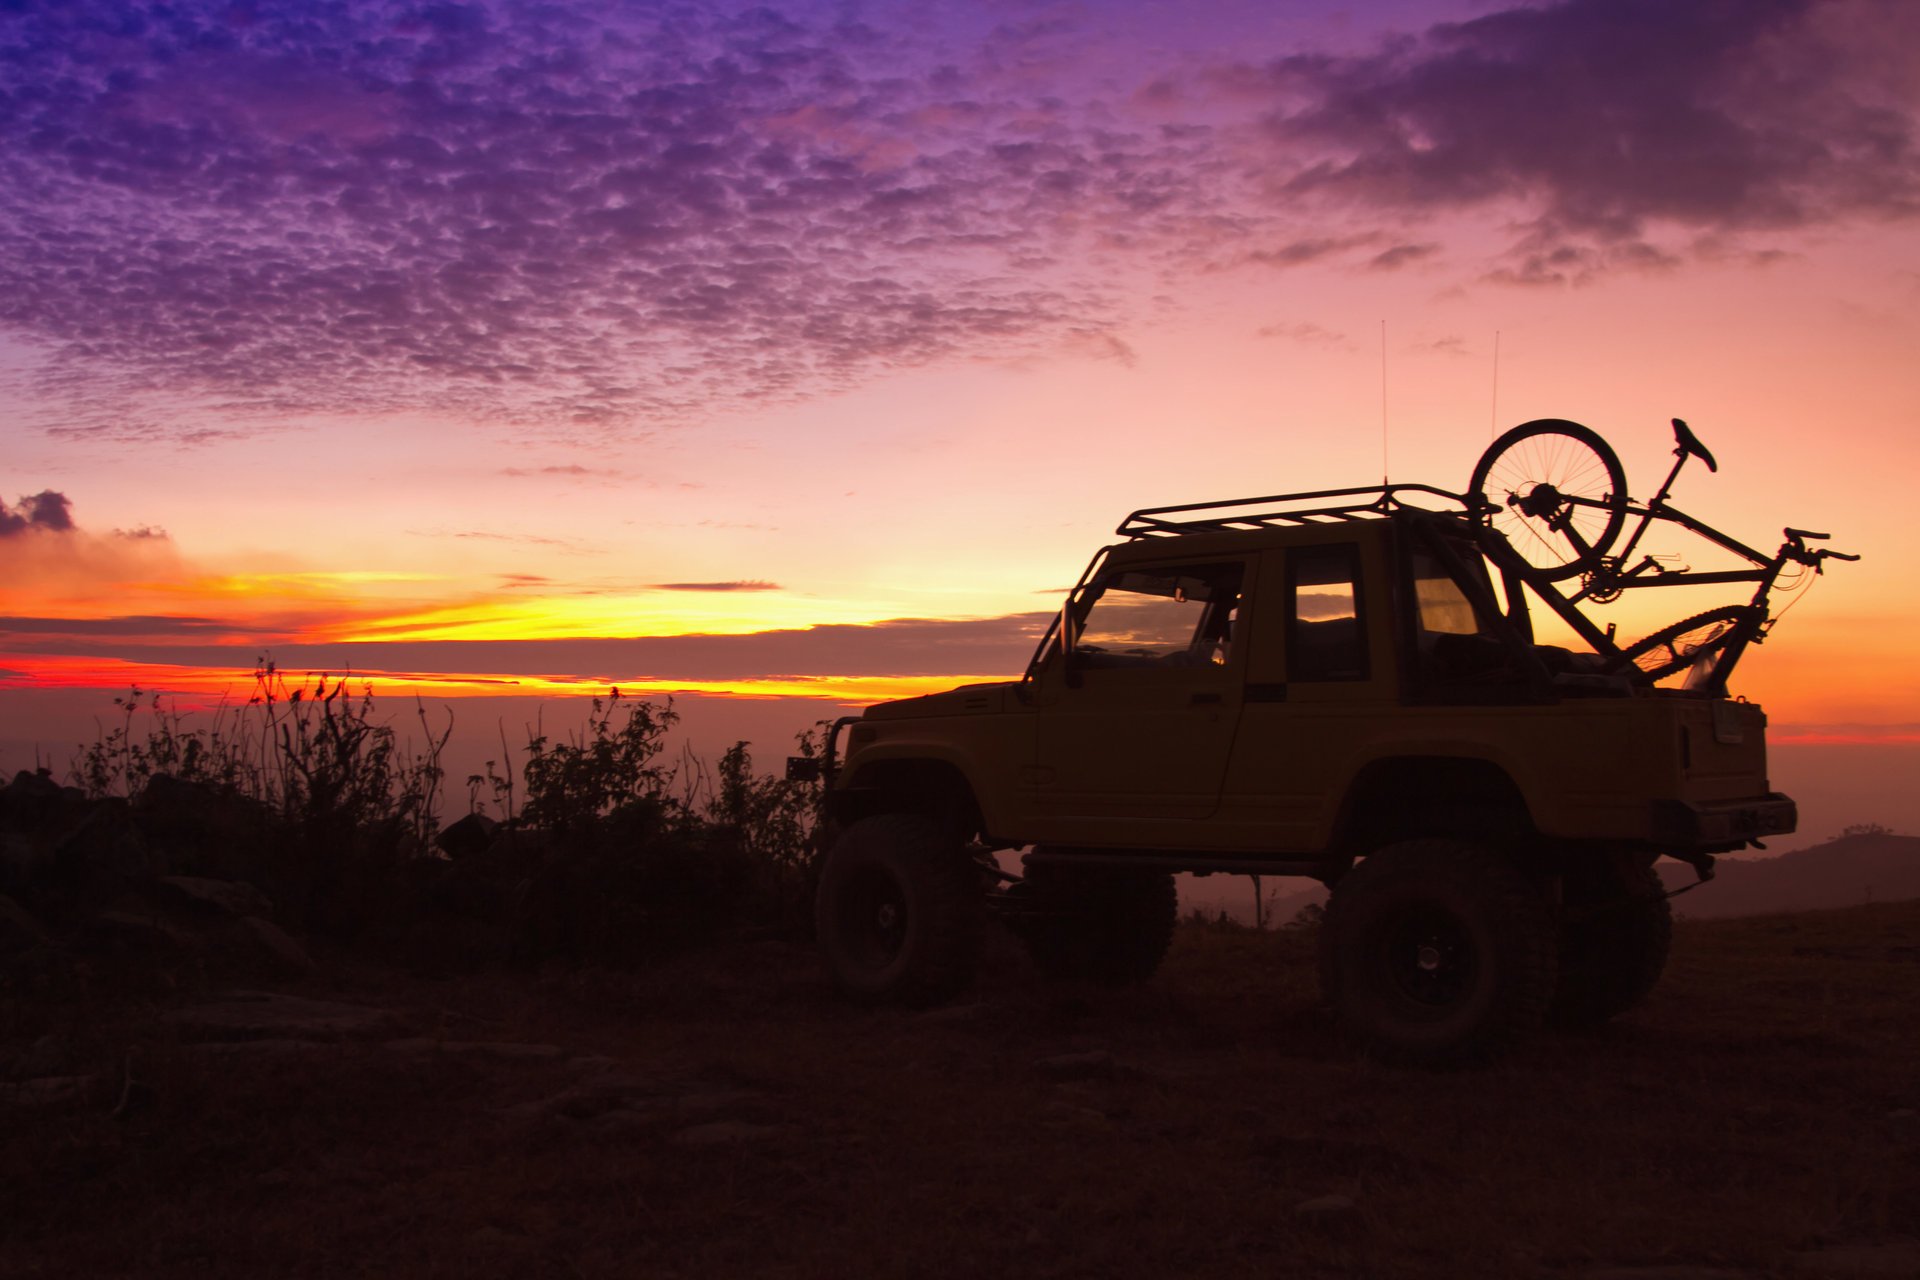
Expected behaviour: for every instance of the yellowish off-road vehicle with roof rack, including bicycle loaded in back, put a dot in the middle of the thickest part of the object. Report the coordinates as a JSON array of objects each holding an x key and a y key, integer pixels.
[{"x": 1339, "y": 686}]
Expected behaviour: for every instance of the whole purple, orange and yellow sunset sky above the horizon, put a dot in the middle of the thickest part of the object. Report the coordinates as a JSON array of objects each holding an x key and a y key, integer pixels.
[{"x": 809, "y": 350}]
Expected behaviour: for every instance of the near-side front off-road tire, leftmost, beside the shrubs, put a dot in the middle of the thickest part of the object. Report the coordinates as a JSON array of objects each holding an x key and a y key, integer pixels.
[{"x": 900, "y": 913}]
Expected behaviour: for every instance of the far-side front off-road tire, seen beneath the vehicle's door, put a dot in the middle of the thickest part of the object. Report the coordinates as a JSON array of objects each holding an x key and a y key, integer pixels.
[{"x": 1095, "y": 924}]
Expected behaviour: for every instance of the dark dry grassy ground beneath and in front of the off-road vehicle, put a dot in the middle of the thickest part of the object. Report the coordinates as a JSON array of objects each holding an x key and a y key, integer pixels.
[{"x": 1752, "y": 1110}]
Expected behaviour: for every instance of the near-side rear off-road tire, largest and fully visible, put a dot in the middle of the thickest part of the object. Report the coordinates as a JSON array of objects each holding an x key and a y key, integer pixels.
[{"x": 1439, "y": 951}]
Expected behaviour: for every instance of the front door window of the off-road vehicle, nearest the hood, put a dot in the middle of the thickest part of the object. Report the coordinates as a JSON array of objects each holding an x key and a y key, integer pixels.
[{"x": 1170, "y": 617}]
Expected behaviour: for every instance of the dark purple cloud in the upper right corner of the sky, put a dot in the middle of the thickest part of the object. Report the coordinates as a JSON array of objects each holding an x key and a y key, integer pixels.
[{"x": 1614, "y": 122}]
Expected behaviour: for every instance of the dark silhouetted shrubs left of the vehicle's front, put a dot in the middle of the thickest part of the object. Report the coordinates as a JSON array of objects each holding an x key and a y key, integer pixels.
[{"x": 612, "y": 855}]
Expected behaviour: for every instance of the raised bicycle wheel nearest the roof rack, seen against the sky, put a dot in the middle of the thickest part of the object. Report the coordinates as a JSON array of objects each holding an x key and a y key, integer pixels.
[{"x": 1558, "y": 494}]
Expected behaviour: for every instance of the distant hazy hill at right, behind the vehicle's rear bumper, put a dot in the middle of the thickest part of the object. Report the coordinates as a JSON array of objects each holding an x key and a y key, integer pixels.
[{"x": 1846, "y": 872}]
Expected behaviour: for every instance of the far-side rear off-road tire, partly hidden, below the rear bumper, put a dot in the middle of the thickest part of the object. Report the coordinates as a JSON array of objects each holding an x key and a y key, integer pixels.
[{"x": 1618, "y": 928}]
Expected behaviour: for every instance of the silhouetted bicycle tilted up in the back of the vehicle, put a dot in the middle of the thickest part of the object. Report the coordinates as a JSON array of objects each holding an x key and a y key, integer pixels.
[{"x": 1556, "y": 494}]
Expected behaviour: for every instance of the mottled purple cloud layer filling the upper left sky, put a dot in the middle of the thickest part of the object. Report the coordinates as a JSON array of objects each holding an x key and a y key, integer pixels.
[{"x": 527, "y": 210}]
